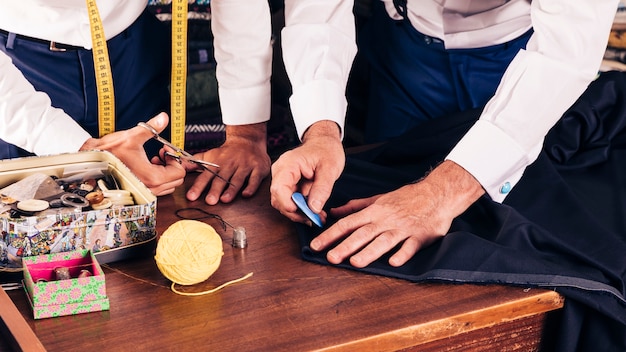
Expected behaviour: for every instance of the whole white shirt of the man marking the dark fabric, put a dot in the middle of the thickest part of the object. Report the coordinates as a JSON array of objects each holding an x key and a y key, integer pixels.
[{"x": 562, "y": 57}]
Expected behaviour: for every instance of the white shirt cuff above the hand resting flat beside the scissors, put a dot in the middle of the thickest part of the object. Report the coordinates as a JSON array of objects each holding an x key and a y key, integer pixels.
[{"x": 243, "y": 106}]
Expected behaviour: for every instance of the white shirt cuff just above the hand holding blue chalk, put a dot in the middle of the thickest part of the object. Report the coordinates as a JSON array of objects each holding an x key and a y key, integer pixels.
[{"x": 316, "y": 101}]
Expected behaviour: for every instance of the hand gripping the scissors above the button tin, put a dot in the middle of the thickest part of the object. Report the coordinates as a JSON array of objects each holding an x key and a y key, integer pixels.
[{"x": 127, "y": 146}]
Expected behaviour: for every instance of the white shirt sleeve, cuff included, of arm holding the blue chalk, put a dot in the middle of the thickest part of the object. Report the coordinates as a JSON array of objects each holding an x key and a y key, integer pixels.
[{"x": 319, "y": 46}]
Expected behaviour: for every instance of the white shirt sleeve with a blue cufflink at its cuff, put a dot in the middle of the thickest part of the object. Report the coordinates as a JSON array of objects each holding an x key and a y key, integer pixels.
[{"x": 561, "y": 59}]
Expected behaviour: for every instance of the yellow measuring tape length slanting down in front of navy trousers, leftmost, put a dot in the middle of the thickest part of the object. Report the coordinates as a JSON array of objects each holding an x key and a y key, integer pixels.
[{"x": 102, "y": 67}]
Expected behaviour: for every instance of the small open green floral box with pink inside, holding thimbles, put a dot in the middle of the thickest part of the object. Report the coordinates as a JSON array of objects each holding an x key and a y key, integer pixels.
[{"x": 51, "y": 296}]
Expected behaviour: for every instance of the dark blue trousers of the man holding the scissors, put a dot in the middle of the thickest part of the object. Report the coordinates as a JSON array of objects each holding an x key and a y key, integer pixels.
[{"x": 140, "y": 62}]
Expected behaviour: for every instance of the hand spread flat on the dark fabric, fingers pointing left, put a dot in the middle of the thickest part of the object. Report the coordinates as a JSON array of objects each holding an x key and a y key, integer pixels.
[{"x": 415, "y": 215}]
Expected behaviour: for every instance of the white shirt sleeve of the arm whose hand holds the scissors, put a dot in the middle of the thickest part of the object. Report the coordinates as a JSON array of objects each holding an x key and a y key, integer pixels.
[{"x": 28, "y": 119}]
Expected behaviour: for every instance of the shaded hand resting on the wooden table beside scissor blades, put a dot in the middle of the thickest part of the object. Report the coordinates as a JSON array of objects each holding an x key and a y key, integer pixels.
[{"x": 243, "y": 160}]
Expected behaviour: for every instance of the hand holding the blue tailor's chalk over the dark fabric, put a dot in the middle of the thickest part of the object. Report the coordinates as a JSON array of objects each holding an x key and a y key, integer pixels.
[{"x": 311, "y": 169}]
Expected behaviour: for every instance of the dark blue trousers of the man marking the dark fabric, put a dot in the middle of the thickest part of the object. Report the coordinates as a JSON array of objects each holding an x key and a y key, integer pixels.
[{"x": 414, "y": 78}]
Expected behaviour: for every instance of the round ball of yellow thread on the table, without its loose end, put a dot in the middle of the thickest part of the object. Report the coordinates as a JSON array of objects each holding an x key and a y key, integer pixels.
[{"x": 189, "y": 252}]
